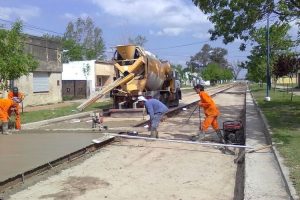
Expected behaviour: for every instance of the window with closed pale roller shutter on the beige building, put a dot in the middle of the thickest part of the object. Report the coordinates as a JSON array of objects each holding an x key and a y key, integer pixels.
[{"x": 40, "y": 82}]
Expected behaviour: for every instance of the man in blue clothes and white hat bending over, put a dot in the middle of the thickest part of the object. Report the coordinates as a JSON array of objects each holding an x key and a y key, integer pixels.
[{"x": 156, "y": 110}]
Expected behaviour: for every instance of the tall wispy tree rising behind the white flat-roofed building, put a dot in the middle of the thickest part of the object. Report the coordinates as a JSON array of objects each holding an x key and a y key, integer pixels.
[{"x": 83, "y": 40}]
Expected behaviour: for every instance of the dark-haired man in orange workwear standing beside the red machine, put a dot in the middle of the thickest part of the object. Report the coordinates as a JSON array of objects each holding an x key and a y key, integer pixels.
[{"x": 210, "y": 110}]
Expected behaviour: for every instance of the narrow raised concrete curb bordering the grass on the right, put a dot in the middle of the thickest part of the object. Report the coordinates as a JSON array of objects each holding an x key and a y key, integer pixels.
[{"x": 280, "y": 161}]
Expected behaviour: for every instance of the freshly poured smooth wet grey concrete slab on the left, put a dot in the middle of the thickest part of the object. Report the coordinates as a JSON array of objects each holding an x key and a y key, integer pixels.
[{"x": 23, "y": 152}]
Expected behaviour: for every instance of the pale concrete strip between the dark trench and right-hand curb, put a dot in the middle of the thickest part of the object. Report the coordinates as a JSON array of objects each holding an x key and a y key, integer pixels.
[{"x": 263, "y": 178}]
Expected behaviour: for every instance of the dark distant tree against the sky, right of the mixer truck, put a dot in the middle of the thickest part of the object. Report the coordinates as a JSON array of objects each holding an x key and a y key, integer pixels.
[{"x": 207, "y": 55}]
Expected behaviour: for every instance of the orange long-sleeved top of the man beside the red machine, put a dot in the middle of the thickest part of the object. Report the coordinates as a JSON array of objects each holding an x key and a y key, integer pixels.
[{"x": 208, "y": 105}]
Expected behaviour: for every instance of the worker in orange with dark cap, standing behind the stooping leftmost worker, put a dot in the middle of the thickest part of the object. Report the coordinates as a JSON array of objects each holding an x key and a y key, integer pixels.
[{"x": 17, "y": 97}]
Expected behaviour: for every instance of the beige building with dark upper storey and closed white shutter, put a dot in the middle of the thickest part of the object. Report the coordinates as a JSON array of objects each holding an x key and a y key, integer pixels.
[{"x": 43, "y": 85}]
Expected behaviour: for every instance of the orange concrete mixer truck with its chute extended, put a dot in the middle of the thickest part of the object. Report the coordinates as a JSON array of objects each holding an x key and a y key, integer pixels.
[{"x": 138, "y": 72}]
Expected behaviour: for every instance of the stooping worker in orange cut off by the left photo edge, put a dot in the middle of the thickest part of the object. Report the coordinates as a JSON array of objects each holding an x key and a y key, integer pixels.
[{"x": 5, "y": 108}]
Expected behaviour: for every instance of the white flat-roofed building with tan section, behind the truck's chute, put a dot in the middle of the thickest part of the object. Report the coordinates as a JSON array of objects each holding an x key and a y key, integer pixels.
[{"x": 82, "y": 78}]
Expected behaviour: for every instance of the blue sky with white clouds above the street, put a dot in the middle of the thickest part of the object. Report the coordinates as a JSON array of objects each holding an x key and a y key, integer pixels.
[{"x": 175, "y": 29}]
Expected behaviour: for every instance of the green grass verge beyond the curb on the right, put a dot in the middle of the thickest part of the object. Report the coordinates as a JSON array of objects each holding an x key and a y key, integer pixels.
[{"x": 283, "y": 115}]
